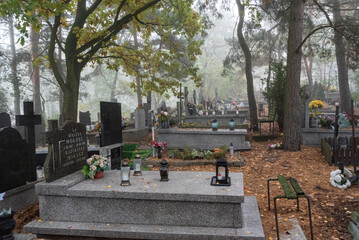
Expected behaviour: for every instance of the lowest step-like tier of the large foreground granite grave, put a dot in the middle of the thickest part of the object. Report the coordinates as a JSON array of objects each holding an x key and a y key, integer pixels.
[{"x": 251, "y": 229}]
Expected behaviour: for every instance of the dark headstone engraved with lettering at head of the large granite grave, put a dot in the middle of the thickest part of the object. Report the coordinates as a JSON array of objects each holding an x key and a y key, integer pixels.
[{"x": 67, "y": 151}]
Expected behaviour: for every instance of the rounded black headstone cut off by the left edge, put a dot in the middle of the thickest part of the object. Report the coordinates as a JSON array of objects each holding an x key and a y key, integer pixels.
[{"x": 16, "y": 159}]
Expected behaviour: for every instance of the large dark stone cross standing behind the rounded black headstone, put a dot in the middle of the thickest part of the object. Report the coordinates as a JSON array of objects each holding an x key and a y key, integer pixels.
[{"x": 29, "y": 120}]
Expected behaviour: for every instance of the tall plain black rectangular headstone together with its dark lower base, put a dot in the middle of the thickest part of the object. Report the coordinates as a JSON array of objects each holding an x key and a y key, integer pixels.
[{"x": 111, "y": 131}]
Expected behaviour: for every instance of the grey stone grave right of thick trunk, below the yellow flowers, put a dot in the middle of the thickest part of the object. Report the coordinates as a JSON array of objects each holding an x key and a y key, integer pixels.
[{"x": 313, "y": 136}]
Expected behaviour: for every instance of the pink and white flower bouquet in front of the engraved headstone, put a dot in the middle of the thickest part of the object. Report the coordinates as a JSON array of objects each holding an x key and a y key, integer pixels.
[{"x": 95, "y": 166}]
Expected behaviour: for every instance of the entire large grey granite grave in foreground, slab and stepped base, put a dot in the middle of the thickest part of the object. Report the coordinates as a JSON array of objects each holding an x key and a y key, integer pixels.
[{"x": 186, "y": 207}]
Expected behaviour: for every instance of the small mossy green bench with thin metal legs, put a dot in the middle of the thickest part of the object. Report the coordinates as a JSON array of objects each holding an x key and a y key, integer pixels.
[{"x": 291, "y": 190}]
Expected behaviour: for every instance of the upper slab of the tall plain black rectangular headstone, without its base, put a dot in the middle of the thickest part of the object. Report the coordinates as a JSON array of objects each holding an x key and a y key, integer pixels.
[{"x": 111, "y": 119}]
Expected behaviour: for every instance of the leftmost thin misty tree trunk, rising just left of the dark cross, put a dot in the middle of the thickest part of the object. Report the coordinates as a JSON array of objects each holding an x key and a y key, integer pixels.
[{"x": 14, "y": 78}]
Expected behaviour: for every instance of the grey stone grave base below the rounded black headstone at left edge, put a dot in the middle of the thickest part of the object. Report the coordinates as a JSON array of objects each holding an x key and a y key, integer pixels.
[{"x": 20, "y": 198}]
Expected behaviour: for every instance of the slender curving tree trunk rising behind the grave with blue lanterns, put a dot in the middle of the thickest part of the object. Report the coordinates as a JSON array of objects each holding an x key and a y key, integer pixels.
[{"x": 248, "y": 61}]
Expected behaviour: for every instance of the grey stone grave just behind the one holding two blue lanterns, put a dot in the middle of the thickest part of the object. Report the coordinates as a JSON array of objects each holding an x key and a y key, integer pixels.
[{"x": 223, "y": 120}]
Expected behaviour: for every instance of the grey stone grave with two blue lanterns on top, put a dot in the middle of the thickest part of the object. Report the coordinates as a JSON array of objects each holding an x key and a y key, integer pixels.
[{"x": 203, "y": 139}]
